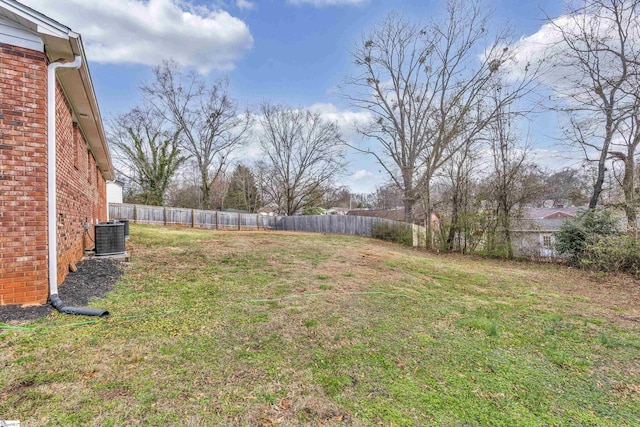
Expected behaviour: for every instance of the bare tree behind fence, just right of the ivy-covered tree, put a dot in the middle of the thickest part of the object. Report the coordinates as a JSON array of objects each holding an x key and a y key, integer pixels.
[{"x": 212, "y": 127}]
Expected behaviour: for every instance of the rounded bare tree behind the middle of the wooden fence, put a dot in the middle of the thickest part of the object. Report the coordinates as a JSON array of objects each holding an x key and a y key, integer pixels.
[{"x": 303, "y": 153}]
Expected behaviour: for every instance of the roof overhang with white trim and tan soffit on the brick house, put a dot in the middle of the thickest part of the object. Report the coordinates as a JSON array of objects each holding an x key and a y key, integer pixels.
[{"x": 61, "y": 43}]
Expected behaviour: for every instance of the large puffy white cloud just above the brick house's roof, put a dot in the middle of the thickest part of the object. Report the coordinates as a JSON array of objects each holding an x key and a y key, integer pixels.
[{"x": 147, "y": 32}]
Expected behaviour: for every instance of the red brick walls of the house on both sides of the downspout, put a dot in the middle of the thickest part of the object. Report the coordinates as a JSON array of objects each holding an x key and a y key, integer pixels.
[{"x": 23, "y": 180}]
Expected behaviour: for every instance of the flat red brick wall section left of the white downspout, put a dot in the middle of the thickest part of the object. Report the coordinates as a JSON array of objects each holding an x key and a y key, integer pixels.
[{"x": 23, "y": 176}]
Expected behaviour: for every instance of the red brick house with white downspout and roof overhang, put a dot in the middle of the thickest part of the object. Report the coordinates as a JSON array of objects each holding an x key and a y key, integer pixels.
[{"x": 54, "y": 159}]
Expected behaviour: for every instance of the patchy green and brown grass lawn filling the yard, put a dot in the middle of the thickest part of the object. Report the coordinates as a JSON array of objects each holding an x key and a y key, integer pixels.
[{"x": 259, "y": 328}]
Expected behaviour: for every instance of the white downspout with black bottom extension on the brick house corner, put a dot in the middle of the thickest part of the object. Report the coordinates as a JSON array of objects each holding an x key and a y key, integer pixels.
[{"x": 52, "y": 193}]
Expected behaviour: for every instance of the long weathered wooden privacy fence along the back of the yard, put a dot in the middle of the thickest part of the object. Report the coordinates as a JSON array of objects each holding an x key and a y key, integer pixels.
[{"x": 380, "y": 228}]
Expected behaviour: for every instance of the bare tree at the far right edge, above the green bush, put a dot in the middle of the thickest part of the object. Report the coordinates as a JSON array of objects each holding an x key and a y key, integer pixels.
[{"x": 600, "y": 53}]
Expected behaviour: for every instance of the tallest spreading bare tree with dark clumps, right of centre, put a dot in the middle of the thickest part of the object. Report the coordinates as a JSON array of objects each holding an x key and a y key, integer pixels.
[{"x": 422, "y": 84}]
